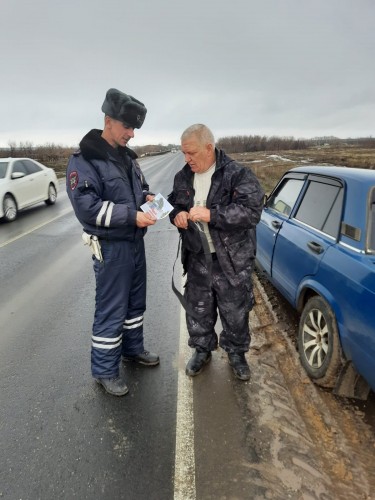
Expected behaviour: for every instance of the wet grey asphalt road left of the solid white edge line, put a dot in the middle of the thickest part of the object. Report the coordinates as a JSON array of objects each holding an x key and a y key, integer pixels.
[{"x": 61, "y": 435}]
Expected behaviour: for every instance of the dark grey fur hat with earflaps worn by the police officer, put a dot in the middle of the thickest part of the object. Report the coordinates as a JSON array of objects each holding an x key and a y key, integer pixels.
[{"x": 124, "y": 108}]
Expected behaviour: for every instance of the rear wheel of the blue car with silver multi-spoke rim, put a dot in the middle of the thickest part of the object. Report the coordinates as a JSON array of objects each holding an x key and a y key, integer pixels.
[{"x": 319, "y": 343}]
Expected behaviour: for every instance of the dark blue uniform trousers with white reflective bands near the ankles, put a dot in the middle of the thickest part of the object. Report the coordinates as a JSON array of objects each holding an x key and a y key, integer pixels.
[{"x": 120, "y": 303}]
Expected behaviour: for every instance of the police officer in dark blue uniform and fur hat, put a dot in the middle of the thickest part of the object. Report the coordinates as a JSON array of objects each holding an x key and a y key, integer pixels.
[{"x": 106, "y": 188}]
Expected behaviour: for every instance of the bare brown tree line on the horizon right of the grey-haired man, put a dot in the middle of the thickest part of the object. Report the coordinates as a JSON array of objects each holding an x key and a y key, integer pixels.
[{"x": 253, "y": 143}]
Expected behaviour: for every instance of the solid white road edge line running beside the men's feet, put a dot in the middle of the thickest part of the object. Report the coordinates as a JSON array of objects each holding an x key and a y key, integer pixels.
[{"x": 184, "y": 476}]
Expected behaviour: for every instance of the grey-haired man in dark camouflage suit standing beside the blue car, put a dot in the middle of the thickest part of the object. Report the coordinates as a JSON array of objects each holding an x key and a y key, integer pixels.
[{"x": 225, "y": 200}]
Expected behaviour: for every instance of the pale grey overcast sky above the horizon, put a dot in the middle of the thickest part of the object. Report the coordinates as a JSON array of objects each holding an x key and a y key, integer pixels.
[{"x": 273, "y": 67}]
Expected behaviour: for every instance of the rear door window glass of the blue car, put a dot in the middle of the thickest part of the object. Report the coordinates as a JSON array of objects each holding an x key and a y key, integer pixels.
[{"x": 321, "y": 207}]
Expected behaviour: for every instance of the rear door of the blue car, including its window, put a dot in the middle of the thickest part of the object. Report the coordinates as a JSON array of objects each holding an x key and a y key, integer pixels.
[{"x": 304, "y": 238}]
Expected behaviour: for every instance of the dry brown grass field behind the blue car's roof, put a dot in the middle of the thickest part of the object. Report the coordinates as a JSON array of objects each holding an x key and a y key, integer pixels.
[{"x": 270, "y": 166}]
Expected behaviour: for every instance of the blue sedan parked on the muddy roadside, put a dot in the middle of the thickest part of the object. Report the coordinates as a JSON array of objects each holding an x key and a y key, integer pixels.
[{"x": 316, "y": 244}]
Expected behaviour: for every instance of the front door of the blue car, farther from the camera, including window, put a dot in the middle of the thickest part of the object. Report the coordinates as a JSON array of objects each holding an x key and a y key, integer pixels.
[{"x": 276, "y": 211}]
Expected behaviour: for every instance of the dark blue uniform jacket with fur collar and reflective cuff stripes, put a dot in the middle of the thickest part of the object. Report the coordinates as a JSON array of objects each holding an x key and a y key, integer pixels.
[{"x": 106, "y": 188}]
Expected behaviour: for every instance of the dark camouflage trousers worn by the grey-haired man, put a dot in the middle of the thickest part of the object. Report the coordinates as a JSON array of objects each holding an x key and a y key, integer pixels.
[{"x": 210, "y": 295}]
